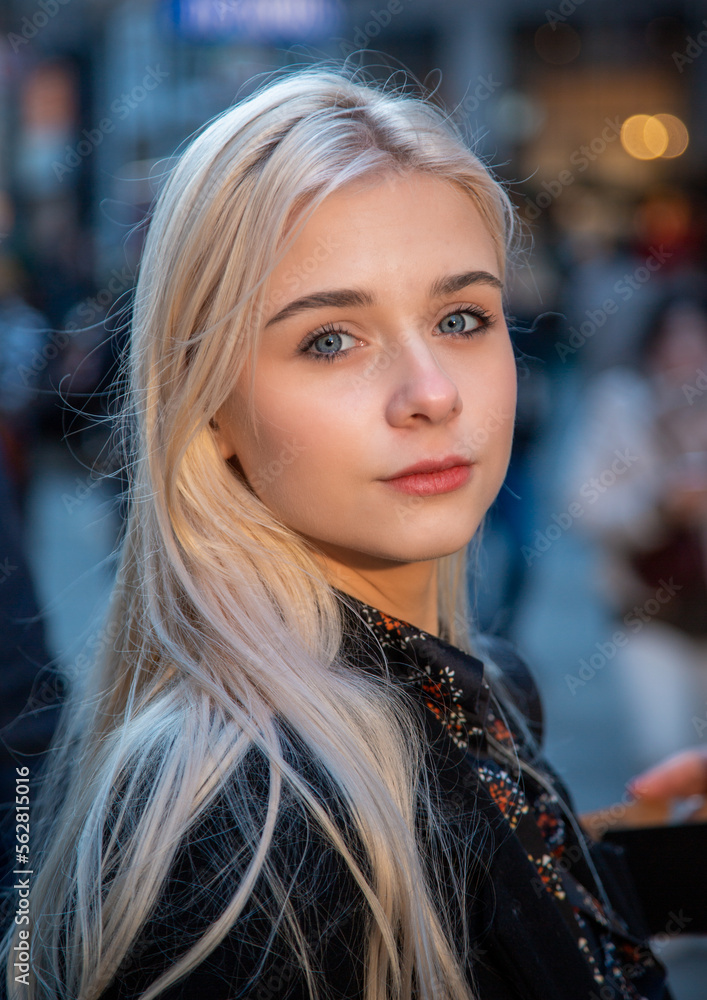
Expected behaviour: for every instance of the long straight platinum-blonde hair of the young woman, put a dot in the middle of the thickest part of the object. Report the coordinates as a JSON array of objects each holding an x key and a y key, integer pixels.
[{"x": 222, "y": 626}]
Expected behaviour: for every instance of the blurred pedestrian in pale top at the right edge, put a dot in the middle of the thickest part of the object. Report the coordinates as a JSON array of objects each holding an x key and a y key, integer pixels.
[{"x": 640, "y": 455}]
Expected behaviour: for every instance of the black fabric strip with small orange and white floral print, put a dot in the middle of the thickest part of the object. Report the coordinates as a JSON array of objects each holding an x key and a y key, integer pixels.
[{"x": 452, "y": 686}]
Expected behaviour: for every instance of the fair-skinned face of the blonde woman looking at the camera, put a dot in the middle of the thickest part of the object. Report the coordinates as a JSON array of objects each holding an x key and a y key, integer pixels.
[{"x": 384, "y": 349}]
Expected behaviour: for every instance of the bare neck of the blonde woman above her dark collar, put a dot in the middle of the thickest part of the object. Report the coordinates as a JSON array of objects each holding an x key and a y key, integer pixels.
[{"x": 402, "y": 590}]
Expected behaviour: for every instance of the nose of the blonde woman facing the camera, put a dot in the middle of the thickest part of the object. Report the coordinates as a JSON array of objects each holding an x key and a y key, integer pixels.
[{"x": 422, "y": 390}]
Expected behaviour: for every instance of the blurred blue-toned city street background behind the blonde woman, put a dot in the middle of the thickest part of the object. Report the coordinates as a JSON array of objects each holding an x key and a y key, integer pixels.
[{"x": 594, "y": 556}]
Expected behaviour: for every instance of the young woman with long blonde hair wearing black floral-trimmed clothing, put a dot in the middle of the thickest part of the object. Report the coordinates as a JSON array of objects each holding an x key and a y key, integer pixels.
[{"x": 288, "y": 775}]
